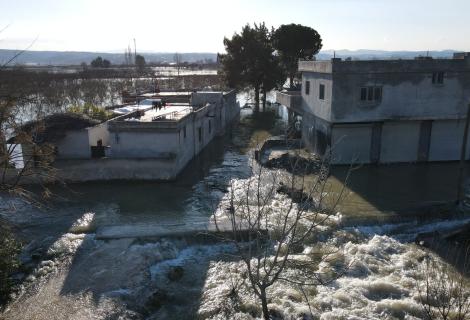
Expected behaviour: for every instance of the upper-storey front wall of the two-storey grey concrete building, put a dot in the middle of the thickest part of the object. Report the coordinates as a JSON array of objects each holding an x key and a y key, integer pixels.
[{"x": 404, "y": 96}]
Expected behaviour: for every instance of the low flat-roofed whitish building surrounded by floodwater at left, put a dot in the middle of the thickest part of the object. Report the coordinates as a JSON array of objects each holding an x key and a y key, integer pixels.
[{"x": 154, "y": 142}]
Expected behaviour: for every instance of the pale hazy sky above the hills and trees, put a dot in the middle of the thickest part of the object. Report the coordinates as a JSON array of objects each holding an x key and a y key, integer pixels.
[{"x": 200, "y": 25}]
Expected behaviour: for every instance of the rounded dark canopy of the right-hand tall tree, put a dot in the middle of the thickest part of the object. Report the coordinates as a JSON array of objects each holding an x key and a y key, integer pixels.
[{"x": 294, "y": 42}]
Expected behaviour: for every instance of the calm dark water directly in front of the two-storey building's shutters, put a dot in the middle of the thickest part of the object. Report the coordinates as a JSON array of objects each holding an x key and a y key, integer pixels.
[{"x": 399, "y": 189}]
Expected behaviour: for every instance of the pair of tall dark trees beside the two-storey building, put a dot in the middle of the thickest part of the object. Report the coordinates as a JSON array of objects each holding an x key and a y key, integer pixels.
[{"x": 262, "y": 59}]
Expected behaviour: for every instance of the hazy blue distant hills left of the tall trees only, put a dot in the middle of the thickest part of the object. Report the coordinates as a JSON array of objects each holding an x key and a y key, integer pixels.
[{"x": 75, "y": 57}]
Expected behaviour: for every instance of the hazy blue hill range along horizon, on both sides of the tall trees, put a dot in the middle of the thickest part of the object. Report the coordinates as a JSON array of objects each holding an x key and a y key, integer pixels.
[{"x": 75, "y": 58}]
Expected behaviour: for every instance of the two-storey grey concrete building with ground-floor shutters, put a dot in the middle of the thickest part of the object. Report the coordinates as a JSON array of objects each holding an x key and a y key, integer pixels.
[{"x": 383, "y": 111}]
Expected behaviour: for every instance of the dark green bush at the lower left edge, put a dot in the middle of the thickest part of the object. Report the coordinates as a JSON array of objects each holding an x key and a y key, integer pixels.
[{"x": 9, "y": 250}]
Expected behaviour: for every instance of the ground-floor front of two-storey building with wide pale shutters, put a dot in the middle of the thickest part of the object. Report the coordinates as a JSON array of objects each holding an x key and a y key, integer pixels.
[{"x": 399, "y": 141}]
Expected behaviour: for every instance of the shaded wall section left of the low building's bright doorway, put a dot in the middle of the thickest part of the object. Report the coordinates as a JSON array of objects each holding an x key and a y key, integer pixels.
[{"x": 75, "y": 145}]
